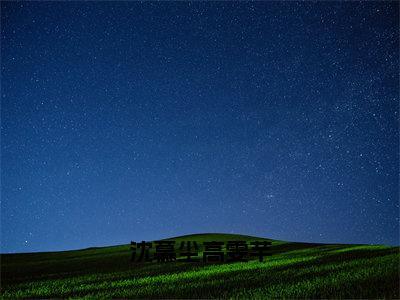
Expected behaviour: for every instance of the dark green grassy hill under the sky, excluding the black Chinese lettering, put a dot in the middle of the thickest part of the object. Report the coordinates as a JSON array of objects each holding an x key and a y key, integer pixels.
[{"x": 295, "y": 270}]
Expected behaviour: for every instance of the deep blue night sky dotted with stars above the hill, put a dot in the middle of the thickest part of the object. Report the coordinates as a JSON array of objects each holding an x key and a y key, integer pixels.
[{"x": 138, "y": 121}]
